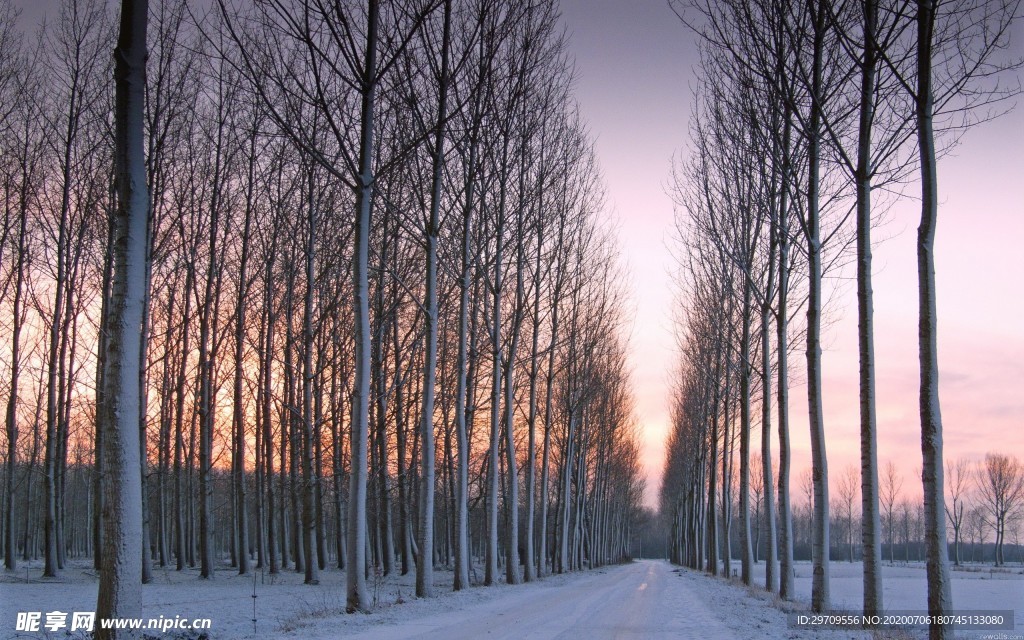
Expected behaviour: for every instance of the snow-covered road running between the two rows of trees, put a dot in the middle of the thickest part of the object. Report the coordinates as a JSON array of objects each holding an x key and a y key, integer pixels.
[{"x": 646, "y": 600}]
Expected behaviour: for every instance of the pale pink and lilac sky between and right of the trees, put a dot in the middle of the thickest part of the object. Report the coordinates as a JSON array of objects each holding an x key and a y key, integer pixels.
[{"x": 635, "y": 67}]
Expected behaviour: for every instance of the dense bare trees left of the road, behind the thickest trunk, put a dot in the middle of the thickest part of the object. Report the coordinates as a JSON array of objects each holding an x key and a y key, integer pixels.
[{"x": 382, "y": 314}]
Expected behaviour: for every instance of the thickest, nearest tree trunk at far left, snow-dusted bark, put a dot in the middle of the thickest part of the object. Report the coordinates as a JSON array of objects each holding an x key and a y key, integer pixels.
[{"x": 119, "y": 594}]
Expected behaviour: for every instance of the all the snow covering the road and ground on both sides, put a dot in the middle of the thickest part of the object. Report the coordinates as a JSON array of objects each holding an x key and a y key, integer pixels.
[{"x": 645, "y": 600}]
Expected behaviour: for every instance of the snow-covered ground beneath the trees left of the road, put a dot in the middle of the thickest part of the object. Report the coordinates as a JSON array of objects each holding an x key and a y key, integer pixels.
[{"x": 285, "y": 607}]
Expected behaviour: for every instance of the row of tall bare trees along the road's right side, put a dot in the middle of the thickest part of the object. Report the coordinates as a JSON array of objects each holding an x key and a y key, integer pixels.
[{"x": 808, "y": 114}]
